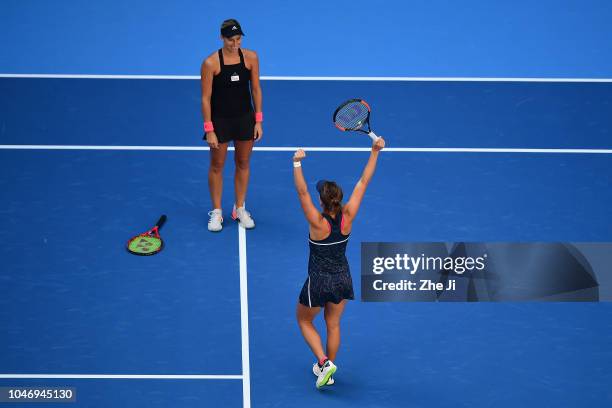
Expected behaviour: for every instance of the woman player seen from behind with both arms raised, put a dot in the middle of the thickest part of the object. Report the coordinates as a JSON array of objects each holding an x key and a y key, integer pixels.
[{"x": 329, "y": 282}]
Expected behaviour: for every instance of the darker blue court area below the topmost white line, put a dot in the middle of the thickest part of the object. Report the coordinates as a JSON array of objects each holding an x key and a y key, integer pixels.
[{"x": 75, "y": 302}]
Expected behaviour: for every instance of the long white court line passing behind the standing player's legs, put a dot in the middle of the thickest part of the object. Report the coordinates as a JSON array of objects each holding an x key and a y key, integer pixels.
[{"x": 314, "y": 149}]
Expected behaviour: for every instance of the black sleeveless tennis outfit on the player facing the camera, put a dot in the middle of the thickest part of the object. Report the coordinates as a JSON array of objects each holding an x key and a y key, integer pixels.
[{"x": 231, "y": 108}]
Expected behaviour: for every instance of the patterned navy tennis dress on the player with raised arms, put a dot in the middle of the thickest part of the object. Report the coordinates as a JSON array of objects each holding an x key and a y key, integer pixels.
[{"x": 329, "y": 277}]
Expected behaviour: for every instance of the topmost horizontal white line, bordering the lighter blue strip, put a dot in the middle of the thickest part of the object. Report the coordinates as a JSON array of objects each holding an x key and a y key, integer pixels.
[{"x": 317, "y": 78}]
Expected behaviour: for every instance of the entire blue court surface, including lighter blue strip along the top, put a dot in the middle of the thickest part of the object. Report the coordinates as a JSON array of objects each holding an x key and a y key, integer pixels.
[{"x": 493, "y": 133}]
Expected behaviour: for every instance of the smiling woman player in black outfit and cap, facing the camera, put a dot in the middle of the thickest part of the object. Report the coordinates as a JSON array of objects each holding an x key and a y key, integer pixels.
[{"x": 230, "y": 81}]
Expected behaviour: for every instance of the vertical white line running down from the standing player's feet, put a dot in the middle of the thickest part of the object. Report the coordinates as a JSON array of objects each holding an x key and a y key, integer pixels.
[{"x": 244, "y": 319}]
